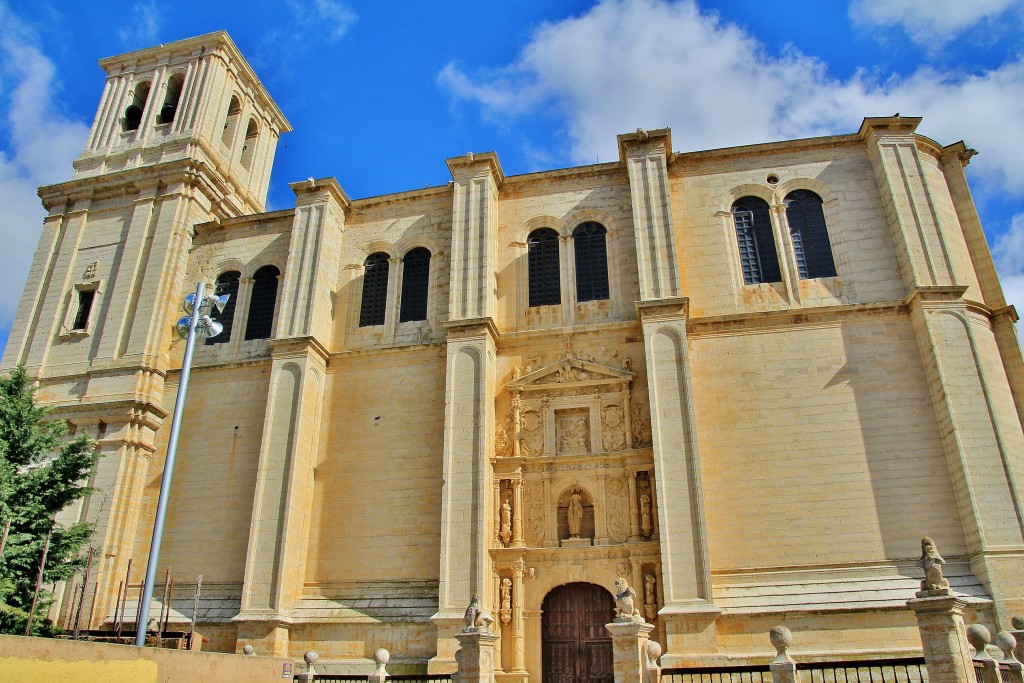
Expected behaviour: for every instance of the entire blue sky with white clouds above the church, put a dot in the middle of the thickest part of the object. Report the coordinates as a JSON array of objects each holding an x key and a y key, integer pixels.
[{"x": 380, "y": 94}]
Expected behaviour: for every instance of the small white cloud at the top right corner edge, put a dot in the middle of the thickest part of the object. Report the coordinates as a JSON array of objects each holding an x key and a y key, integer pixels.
[{"x": 929, "y": 23}]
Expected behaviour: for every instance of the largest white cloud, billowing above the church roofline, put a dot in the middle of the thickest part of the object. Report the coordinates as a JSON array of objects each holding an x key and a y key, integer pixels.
[{"x": 653, "y": 64}]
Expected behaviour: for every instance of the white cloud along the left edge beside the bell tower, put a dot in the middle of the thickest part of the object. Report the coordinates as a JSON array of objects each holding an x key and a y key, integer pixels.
[{"x": 37, "y": 146}]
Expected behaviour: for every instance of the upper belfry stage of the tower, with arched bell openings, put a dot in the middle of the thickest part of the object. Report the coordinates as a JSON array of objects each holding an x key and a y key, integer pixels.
[{"x": 196, "y": 100}]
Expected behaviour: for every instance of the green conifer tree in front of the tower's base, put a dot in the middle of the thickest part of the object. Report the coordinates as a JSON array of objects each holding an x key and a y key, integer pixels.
[{"x": 41, "y": 474}]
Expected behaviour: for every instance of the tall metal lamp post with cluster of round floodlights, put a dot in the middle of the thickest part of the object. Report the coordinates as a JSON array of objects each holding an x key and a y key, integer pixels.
[{"x": 197, "y": 324}]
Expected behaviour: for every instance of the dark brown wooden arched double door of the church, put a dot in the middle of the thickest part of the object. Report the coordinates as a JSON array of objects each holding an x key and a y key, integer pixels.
[{"x": 576, "y": 647}]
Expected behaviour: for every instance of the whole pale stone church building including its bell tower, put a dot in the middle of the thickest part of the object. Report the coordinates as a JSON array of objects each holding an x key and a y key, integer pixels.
[{"x": 746, "y": 380}]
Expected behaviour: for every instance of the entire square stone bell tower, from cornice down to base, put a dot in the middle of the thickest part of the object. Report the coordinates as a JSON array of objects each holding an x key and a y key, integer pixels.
[{"x": 185, "y": 134}]
